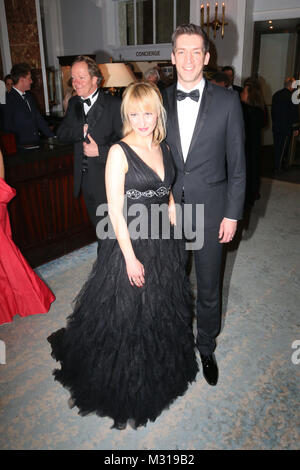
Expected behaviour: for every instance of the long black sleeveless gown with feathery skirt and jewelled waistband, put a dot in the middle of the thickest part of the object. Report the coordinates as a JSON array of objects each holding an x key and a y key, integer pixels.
[{"x": 127, "y": 352}]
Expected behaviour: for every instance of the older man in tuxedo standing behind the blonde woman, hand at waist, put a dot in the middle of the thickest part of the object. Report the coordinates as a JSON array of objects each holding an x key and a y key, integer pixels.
[{"x": 93, "y": 123}]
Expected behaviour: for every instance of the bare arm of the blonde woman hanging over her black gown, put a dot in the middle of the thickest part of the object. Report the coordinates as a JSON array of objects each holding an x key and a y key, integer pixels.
[{"x": 115, "y": 170}]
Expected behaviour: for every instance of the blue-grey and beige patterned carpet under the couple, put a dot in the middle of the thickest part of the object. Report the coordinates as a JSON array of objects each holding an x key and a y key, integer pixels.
[{"x": 256, "y": 402}]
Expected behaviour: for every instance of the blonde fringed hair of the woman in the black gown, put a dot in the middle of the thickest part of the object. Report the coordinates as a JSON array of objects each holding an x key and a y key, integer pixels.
[{"x": 146, "y": 96}]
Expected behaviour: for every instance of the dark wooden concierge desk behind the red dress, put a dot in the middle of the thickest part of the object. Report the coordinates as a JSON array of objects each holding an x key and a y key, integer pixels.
[{"x": 46, "y": 220}]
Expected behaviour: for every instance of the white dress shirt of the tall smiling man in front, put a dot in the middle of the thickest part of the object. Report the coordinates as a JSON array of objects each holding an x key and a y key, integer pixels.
[{"x": 187, "y": 111}]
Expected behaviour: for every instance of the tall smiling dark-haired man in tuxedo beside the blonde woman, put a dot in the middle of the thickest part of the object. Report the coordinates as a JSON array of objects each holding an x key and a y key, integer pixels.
[{"x": 206, "y": 135}]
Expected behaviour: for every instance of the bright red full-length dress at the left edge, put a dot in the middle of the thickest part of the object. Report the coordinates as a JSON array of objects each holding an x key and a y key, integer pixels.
[{"x": 22, "y": 292}]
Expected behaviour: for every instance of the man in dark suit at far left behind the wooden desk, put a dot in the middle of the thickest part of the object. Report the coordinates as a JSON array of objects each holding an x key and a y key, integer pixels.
[{"x": 21, "y": 116}]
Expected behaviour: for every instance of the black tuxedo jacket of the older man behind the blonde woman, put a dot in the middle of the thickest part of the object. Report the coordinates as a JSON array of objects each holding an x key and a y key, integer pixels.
[{"x": 105, "y": 127}]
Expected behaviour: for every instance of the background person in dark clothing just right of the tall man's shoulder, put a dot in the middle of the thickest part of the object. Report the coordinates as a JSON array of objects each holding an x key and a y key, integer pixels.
[{"x": 254, "y": 117}]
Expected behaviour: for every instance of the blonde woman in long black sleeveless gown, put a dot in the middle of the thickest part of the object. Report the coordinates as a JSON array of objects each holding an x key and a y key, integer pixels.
[{"x": 127, "y": 351}]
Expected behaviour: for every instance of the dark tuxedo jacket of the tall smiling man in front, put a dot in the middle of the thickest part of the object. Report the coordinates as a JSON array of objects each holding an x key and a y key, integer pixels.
[{"x": 214, "y": 171}]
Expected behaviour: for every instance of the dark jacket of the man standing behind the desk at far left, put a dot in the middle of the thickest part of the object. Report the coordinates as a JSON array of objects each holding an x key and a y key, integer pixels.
[{"x": 23, "y": 122}]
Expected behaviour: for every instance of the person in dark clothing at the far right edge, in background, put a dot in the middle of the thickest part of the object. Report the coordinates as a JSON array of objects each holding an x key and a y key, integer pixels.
[{"x": 285, "y": 118}]
